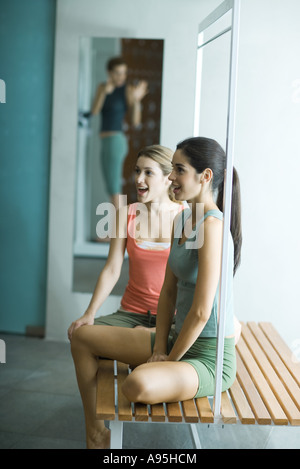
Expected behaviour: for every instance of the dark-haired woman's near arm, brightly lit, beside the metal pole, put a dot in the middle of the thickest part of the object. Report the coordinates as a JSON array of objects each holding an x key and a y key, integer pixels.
[{"x": 209, "y": 265}]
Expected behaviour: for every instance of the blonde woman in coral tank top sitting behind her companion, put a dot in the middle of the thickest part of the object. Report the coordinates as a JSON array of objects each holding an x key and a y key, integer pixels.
[{"x": 144, "y": 229}]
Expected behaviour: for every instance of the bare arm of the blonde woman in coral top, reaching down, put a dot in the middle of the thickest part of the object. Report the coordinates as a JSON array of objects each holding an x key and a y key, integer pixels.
[{"x": 110, "y": 273}]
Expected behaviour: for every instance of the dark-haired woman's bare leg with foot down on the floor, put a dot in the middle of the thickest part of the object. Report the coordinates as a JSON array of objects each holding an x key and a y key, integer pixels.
[{"x": 88, "y": 342}]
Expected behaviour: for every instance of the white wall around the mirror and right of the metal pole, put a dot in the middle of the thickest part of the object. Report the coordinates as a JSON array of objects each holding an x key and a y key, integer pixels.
[{"x": 267, "y": 141}]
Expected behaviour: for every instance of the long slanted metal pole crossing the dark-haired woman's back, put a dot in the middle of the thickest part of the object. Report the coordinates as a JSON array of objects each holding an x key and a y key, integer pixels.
[{"x": 227, "y": 205}]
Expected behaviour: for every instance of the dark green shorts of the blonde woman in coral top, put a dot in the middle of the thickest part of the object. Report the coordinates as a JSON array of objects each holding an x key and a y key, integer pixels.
[{"x": 126, "y": 319}]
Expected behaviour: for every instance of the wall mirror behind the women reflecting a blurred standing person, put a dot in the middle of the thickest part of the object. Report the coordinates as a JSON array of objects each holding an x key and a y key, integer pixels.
[{"x": 119, "y": 112}]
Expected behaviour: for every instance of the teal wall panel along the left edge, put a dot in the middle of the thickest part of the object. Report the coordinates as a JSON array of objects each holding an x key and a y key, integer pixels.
[{"x": 27, "y": 31}]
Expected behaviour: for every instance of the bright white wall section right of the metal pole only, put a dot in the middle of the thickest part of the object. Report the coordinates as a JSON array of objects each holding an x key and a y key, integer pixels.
[{"x": 268, "y": 161}]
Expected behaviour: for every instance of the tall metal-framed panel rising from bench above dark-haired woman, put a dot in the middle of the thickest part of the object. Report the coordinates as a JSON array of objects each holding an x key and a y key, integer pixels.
[{"x": 215, "y": 118}]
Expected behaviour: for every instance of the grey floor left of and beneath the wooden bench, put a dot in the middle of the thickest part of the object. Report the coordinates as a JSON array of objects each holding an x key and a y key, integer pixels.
[{"x": 40, "y": 408}]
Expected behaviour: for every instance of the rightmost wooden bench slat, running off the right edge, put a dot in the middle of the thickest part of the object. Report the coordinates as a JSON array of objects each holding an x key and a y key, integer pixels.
[{"x": 282, "y": 349}]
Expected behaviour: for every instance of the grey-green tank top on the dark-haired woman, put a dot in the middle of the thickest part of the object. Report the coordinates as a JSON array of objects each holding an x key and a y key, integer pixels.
[{"x": 183, "y": 261}]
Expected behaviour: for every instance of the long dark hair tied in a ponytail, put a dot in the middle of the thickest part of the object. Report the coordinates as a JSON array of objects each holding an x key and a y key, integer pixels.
[{"x": 205, "y": 153}]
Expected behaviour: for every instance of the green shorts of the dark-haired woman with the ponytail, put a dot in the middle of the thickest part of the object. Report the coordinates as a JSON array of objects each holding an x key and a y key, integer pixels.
[{"x": 202, "y": 356}]
